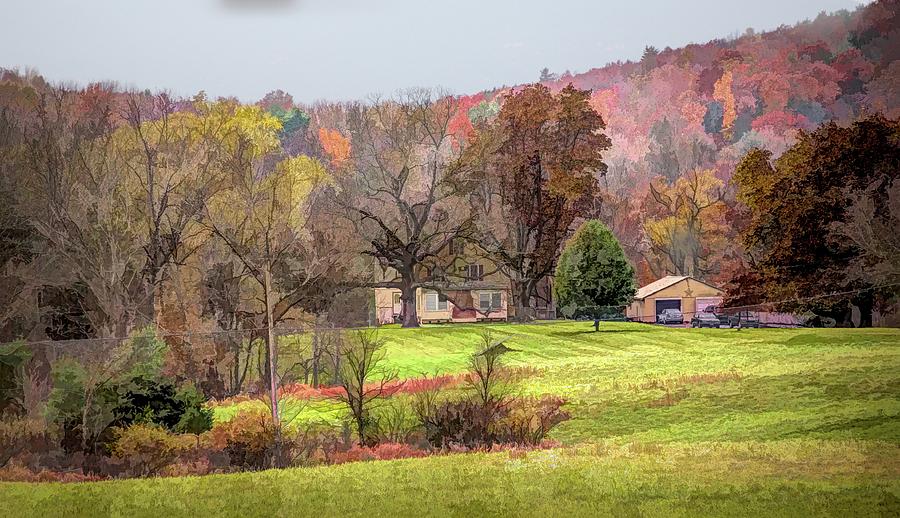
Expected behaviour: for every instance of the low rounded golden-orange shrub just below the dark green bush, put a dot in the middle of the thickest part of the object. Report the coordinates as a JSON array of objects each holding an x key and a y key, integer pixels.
[{"x": 147, "y": 449}]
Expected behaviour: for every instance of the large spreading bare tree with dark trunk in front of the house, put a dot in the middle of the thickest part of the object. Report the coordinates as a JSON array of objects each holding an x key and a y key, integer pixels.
[{"x": 401, "y": 193}]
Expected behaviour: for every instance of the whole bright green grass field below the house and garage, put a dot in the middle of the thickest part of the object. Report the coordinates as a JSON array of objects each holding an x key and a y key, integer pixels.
[{"x": 664, "y": 422}]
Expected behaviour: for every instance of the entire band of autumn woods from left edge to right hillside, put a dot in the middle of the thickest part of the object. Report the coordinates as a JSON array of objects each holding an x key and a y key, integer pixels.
[{"x": 124, "y": 207}]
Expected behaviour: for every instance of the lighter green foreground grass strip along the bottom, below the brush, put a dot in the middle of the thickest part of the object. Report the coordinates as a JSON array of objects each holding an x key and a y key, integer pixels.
[{"x": 791, "y": 478}]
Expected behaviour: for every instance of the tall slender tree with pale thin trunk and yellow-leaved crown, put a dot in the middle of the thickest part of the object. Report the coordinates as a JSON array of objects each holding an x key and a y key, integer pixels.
[{"x": 261, "y": 211}]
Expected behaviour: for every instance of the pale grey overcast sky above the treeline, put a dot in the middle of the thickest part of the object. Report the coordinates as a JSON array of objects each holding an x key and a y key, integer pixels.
[{"x": 349, "y": 49}]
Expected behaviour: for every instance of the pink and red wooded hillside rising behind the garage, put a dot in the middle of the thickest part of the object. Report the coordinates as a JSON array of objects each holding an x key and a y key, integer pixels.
[{"x": 681, "y": 119}]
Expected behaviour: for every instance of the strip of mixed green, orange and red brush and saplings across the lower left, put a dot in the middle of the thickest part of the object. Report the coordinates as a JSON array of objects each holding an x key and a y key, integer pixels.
[{"x": 143, "y": 424}]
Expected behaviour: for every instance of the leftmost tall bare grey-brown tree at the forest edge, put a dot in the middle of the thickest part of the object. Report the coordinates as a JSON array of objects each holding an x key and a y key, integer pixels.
[{"x": 75, "y": 197}]
